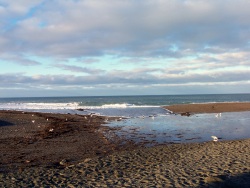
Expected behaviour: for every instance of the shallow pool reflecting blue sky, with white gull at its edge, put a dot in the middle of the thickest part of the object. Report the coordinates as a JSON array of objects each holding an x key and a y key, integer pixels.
[{"x": 181, "y": 129}]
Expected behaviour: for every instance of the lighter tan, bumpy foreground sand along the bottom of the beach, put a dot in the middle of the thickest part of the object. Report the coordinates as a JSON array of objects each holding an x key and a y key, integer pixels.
[{"x": 212, "y": 164}]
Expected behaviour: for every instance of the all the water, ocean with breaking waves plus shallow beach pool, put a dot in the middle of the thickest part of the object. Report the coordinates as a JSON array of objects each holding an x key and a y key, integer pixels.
[{"x": 145, "y": 119}]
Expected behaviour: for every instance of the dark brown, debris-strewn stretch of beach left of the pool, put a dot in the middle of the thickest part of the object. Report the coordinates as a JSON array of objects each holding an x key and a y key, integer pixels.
[{"x": 46, "y": 139}]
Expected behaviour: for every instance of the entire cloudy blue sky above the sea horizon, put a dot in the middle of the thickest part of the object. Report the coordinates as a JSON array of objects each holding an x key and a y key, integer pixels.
[{"x": 124, "y": 47}]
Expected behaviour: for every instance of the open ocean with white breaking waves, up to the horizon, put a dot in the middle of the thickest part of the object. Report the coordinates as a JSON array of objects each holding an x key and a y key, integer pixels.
[{"x": 112, "y": 105}]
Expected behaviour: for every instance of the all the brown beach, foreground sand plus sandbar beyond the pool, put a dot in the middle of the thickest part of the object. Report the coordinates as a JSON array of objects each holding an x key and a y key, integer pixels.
[{"x": 66, "y": 150}]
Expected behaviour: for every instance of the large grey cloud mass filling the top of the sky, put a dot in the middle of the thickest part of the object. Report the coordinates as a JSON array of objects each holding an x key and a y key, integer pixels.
[{"x": 129, "y": 28}]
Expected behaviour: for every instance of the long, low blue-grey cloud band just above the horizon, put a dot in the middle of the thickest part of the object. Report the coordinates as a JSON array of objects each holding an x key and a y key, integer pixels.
[{"x": 129, "y": 78}]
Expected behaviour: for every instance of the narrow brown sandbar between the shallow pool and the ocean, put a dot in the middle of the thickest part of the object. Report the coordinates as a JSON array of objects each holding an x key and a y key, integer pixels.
[{"x": 209, "y": 107}]
